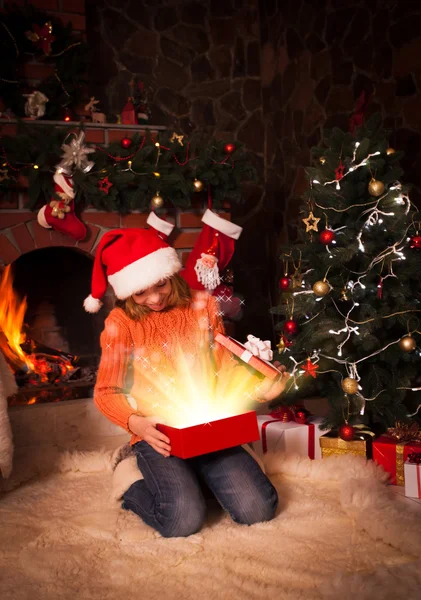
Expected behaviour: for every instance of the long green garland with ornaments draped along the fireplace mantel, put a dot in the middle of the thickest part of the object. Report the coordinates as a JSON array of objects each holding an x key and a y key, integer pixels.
[{"x": 132, "y": 174}]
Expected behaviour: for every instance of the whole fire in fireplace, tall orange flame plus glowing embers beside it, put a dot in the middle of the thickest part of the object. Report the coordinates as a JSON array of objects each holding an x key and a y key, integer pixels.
[{"x": 12, "y": 314}]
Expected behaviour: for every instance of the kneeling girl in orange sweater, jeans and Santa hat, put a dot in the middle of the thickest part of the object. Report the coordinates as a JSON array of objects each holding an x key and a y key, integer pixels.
[{"x": 155, "y": 314}]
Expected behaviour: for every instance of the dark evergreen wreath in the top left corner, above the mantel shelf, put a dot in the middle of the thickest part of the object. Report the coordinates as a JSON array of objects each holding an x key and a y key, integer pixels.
[{"x": 29, "y": 33}]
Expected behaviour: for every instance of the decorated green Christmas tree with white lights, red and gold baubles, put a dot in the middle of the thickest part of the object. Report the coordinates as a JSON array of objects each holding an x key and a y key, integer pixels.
[{"x": 350, "y": 291}]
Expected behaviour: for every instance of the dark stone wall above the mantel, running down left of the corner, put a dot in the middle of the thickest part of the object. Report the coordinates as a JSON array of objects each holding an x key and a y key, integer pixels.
[{"x": 200, "y": 62}]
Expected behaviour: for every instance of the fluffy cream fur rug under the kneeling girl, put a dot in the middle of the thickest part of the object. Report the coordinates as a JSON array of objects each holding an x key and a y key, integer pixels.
[{"x": 338, "y": 534}]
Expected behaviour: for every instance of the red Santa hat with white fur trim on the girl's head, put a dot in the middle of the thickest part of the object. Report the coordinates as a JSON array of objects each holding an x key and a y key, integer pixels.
[{"x": 130, "y": 260}]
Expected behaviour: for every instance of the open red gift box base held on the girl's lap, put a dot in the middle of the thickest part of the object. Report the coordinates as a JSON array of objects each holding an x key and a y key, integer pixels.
[{"x": 212, "y": 436}]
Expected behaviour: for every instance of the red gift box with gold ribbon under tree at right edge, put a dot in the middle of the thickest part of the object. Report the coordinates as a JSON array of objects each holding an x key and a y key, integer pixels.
[{"x": 391, "y": 455}]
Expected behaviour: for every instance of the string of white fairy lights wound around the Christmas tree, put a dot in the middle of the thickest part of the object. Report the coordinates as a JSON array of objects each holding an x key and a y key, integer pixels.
[{"x": 374, "y": 214}]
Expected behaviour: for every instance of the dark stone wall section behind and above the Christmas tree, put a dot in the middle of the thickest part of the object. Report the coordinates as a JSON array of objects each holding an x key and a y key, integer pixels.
[{"x": 316, "y": 60}]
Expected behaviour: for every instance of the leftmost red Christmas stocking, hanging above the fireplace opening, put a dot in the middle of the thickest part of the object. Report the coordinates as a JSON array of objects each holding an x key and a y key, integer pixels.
[{"x": 59, "y": 214}]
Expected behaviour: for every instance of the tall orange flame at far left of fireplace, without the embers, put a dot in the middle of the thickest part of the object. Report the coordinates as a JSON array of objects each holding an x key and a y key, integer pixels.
[{"x": 12, "y": 313}]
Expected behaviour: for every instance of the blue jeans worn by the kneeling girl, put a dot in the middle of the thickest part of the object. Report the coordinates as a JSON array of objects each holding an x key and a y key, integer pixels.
[{"x": 170, "y": 497}]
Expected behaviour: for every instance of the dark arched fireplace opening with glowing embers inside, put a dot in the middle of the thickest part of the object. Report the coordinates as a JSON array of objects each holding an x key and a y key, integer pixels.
[{"x": 60, "y": 341}]
